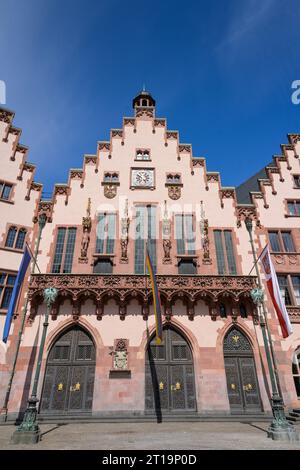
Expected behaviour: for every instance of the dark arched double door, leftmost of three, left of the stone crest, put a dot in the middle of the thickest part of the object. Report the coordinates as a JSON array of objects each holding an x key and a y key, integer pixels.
[{"x": 69, "y": 377}]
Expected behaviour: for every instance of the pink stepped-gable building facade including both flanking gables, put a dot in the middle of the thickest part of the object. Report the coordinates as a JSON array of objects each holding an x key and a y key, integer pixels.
[{"x": 143, "y": 185}]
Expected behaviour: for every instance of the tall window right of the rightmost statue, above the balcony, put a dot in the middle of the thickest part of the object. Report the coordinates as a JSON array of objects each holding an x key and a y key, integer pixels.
[{"x": 225, "y": 252}]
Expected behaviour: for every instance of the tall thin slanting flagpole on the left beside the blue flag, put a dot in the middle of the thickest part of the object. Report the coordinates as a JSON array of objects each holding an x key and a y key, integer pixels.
[{"x": 42, "y": 222}]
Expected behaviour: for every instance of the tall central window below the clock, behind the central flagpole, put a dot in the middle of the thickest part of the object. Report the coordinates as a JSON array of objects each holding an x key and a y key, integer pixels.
[{"x": 145, "y": 230}]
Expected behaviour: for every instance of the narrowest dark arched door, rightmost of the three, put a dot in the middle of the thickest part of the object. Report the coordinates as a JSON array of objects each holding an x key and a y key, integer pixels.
[{"x": 242, "y": 383}]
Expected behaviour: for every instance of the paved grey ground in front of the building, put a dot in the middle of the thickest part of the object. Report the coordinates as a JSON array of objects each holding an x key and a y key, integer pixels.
[{"x": 167, "y": 436}]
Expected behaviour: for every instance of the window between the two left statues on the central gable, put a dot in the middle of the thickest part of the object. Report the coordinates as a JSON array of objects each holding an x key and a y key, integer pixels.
[{"x": 106, "y": 233}]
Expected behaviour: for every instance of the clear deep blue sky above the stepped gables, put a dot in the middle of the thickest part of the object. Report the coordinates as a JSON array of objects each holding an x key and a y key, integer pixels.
[{"x": 220, "y": 71}]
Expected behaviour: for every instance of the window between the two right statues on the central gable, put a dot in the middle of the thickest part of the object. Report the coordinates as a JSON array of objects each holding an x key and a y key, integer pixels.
[{"x": 185, "y": 235}]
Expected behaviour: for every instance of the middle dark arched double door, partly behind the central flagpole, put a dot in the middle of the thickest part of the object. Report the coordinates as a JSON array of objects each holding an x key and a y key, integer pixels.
[{"x": 170, "y": 381}]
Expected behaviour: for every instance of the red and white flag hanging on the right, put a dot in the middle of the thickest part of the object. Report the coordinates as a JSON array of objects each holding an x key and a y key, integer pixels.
[{"x": 273, "y": 287}]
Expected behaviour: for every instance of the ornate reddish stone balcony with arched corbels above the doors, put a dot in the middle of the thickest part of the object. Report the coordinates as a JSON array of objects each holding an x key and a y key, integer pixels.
[{"x": 100, "y": 288}]
